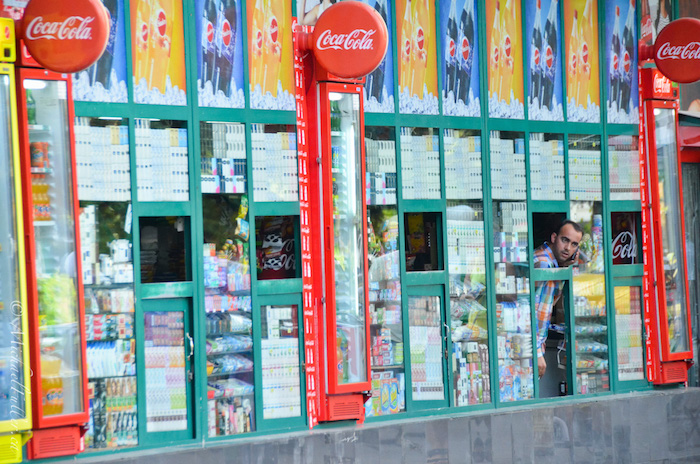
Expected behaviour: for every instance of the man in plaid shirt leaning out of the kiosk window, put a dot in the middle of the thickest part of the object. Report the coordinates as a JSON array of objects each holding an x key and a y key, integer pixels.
[{"x": 560, "y": 251}]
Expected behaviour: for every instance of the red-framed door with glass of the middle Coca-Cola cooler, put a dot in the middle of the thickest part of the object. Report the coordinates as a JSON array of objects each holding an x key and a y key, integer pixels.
[{"x": 345, "y": 219}]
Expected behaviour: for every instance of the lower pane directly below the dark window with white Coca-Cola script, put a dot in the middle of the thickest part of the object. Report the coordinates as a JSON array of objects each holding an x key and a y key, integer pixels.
[{"x": 628, "y": 333}]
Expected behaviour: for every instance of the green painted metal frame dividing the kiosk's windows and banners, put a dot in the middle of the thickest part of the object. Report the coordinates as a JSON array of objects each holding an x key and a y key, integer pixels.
[{"x": 290, "y": 290}]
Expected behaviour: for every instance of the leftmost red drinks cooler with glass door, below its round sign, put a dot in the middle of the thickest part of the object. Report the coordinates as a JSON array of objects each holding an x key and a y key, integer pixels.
[{"x": 54, "y": 274}]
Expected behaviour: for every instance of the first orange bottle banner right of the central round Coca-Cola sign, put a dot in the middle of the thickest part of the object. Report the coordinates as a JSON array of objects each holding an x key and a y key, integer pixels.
[{"x": 415, "y": 29}]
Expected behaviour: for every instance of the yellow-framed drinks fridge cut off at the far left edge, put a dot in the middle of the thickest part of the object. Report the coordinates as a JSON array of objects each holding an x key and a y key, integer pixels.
[{"x": 15, "y": 406}]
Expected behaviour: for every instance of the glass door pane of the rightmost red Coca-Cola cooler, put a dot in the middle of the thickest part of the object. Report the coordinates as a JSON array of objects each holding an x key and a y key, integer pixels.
[{"x": 675, "y": 330}]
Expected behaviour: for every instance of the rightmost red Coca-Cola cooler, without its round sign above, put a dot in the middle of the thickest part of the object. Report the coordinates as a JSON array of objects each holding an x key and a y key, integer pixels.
[{"x": 666, "y": 308}]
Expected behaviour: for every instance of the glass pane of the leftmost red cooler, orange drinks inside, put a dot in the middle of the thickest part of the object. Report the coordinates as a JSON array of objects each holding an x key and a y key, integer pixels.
[{"x": 55, "y": 248}]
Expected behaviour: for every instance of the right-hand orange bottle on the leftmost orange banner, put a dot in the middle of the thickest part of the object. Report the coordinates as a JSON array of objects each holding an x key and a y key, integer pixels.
[{"x": 160, "y": 43}]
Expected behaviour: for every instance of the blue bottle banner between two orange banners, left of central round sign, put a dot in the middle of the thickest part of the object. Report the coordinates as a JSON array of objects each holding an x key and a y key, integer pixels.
[{"x": 219, "y": 54}]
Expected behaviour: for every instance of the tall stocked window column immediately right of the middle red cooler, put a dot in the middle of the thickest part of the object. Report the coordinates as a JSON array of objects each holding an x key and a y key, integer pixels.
[{"x": 385, "y": 291}]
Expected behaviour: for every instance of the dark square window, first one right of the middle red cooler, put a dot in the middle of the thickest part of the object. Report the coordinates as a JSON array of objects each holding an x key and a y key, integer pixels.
[{"x": 423, "y": 247}]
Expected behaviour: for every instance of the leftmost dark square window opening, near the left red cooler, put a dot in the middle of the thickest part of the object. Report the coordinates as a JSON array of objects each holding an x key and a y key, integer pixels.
[{"x": 164, "y": 243}]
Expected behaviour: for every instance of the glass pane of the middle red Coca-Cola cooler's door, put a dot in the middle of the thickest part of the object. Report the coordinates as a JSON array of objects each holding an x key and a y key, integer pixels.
[{"x": 349, "y": 251}]
